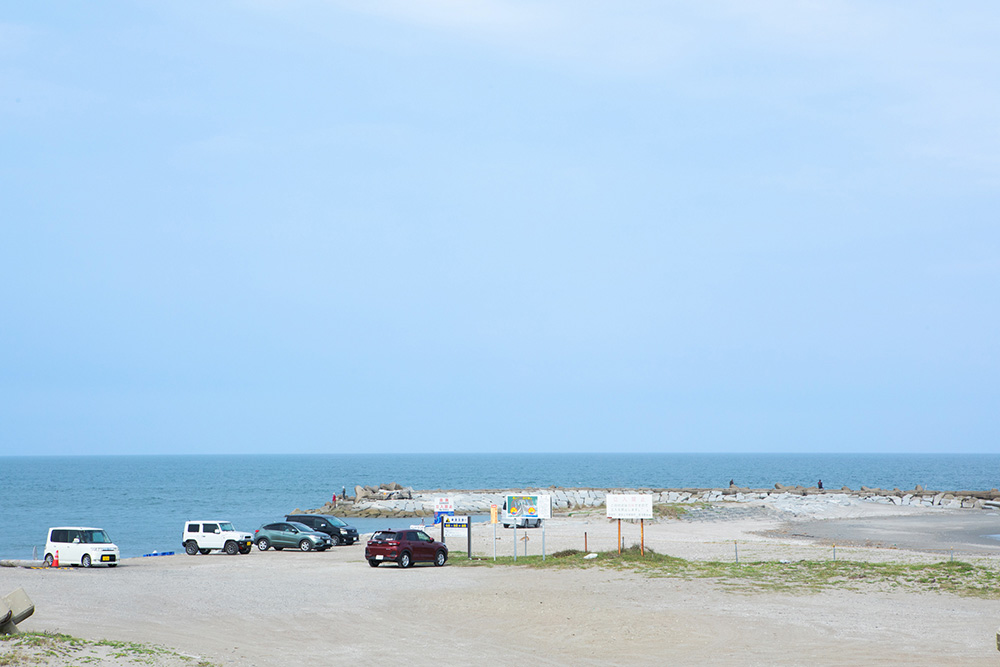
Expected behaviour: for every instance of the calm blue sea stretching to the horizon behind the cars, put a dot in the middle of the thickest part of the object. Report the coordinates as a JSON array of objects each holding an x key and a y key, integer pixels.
[{"x": 142, "y": 501}]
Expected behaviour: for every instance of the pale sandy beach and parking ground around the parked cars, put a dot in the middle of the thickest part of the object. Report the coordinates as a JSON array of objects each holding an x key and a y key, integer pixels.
[{"x": 270, "y": 608}]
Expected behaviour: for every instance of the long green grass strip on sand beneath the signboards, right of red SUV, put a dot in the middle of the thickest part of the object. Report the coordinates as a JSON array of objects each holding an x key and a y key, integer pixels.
[{"x": 957, "y": 578}]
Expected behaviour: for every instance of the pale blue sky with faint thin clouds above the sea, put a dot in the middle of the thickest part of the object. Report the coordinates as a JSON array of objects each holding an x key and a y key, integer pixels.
[{"x": 499, "y": 226}]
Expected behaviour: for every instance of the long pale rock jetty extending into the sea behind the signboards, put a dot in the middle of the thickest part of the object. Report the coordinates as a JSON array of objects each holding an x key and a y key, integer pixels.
[{"x": 394, "y": 500}]
